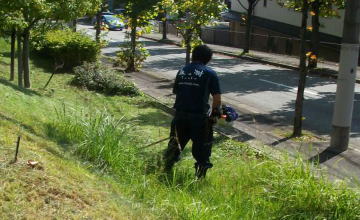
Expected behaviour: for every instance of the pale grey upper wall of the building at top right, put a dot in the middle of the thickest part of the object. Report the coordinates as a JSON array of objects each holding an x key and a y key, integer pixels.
[{"x": 273, "y": 11}]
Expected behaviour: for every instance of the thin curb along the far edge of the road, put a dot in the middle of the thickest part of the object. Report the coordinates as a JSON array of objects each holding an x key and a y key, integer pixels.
[{"x": 321, "y": 73}]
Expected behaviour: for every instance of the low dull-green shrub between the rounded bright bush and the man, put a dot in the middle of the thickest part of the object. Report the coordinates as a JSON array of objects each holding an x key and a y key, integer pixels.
[{"x": 97, "y": 77}]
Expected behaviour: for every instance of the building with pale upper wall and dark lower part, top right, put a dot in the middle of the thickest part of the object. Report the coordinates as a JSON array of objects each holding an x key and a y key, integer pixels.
[{"x": 277, "y": 29}]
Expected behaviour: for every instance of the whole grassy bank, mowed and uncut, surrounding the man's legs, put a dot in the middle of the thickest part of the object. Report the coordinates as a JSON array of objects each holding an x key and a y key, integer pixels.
[{"x": 93, "y": 164}]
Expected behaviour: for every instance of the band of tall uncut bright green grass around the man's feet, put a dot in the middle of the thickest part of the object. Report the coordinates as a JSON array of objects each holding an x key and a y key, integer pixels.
[{"x": 242, "y": 185}]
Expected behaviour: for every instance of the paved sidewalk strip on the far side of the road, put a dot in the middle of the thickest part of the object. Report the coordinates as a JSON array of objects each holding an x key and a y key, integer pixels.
[{"x": 325, "y": 68}]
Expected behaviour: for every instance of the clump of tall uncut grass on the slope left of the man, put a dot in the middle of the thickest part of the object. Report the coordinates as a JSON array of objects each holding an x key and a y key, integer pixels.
[{"x": 106, "y": 142}]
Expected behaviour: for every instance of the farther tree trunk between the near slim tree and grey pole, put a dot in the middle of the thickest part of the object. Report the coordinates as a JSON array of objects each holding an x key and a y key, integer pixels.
[{"x": 315, "y": 39}]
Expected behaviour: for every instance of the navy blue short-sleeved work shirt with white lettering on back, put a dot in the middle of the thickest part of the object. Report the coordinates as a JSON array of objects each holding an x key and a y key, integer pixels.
[{"x": 193, "y": 85}]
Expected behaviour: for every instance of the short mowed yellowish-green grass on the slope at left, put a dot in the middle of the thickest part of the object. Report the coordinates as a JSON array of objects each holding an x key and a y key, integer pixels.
[{"x": 61, "y": 187}]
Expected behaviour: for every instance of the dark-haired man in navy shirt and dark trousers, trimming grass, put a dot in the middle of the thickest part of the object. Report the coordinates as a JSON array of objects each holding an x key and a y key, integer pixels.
[{"x": 194, "y": 119}]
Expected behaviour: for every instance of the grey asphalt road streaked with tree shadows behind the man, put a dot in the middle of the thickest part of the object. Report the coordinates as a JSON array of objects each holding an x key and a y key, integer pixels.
[{"x": 265, "y": 91}]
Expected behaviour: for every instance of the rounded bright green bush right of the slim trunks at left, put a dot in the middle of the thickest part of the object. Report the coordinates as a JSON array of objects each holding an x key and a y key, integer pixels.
[{"x": 66, "y": 46}]
